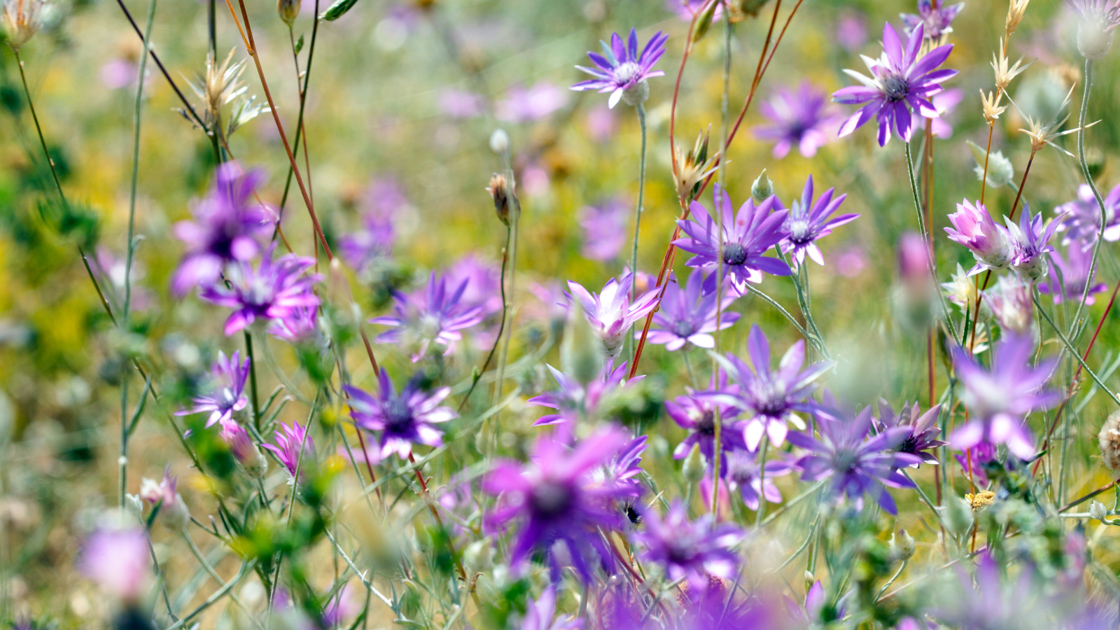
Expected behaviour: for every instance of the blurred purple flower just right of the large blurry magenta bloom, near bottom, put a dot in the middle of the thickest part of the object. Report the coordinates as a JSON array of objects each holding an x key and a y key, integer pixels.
[{"x": 690, "y": 551}]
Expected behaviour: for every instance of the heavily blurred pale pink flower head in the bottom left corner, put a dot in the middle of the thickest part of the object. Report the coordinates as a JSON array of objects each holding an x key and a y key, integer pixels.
[{"x": 119, "y": 562}]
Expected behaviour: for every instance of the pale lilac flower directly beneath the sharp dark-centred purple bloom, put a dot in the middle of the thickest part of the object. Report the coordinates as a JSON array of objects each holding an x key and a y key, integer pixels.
[{"x": 686, "y": 317}]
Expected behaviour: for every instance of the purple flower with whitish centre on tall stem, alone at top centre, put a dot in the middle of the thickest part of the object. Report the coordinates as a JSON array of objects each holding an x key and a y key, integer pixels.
[{"x": 622, "y": 71}]
